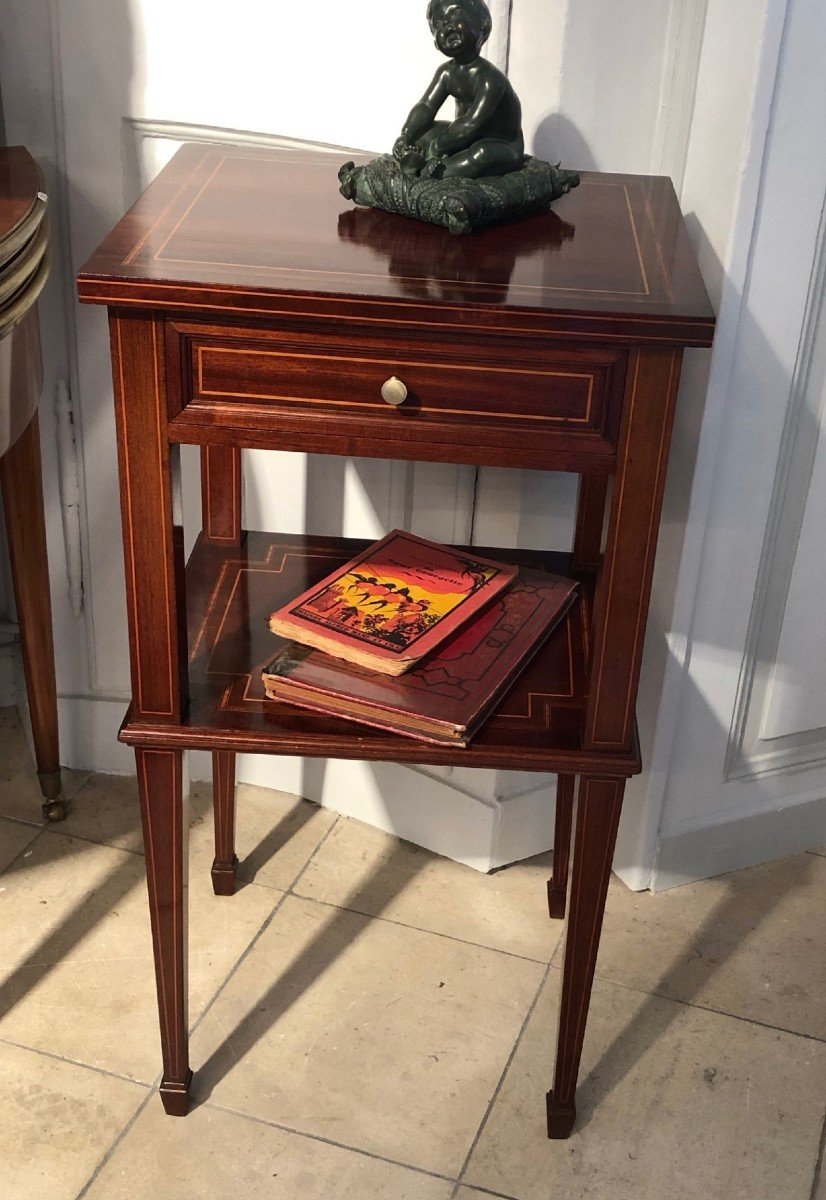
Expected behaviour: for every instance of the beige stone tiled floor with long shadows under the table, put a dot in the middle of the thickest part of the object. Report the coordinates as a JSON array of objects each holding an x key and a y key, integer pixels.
[{"x": 373, "y": 1023}]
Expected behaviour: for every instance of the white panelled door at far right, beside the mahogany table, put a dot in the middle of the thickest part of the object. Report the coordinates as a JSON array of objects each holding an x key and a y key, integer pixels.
[{"x": 746, "y": 771}]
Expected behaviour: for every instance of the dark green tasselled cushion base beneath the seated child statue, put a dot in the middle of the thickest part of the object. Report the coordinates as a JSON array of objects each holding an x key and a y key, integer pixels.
[{"x": 459, "y": 205}]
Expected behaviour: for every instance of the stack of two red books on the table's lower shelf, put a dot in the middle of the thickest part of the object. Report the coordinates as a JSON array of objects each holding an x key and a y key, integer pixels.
[{"x": 415, "y": 638}]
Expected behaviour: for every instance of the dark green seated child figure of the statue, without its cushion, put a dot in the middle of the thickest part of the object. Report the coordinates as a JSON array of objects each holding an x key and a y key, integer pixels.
[{"x": 487, "y": 136}]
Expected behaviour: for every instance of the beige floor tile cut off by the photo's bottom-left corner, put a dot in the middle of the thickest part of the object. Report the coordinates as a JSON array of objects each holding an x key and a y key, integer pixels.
[{"x": 58, "y": 1123}]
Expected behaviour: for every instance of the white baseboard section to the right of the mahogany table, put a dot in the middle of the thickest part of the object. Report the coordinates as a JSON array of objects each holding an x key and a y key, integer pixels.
[{"x": 757, "y": 838}]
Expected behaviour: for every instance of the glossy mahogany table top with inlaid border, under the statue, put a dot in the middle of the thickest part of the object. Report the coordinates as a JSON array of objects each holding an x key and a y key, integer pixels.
[{"x": 256, "y": 230}]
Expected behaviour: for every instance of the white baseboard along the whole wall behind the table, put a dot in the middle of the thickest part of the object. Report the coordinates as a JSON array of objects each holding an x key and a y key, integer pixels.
[{"x": 444, "y": 815}]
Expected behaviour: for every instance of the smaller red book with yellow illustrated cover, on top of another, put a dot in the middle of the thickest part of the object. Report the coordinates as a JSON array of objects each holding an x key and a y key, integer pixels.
[{"x": 394, "y": 603}]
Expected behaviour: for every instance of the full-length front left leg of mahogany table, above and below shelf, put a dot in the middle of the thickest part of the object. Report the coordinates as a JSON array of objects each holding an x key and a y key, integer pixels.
[{"x": 157, "y": 607}]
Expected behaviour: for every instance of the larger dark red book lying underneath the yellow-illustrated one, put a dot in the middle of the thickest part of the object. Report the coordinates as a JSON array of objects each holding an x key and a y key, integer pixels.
[{"x": 447, "y": 698}]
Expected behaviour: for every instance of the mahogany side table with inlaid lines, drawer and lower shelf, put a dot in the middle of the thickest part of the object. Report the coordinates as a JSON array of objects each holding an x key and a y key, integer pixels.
[{"x": 252, "y": 307}]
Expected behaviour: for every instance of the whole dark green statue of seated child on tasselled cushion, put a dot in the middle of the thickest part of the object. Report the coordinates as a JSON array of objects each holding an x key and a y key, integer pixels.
[{"x": 470, "y": 172}]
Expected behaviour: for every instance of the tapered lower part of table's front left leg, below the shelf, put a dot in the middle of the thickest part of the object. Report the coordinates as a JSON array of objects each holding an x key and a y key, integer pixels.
[{"x": 165, "y": 835}]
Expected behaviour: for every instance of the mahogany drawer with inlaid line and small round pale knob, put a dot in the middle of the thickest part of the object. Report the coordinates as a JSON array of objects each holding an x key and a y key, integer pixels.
[{"x": 498, "y": 392}]
